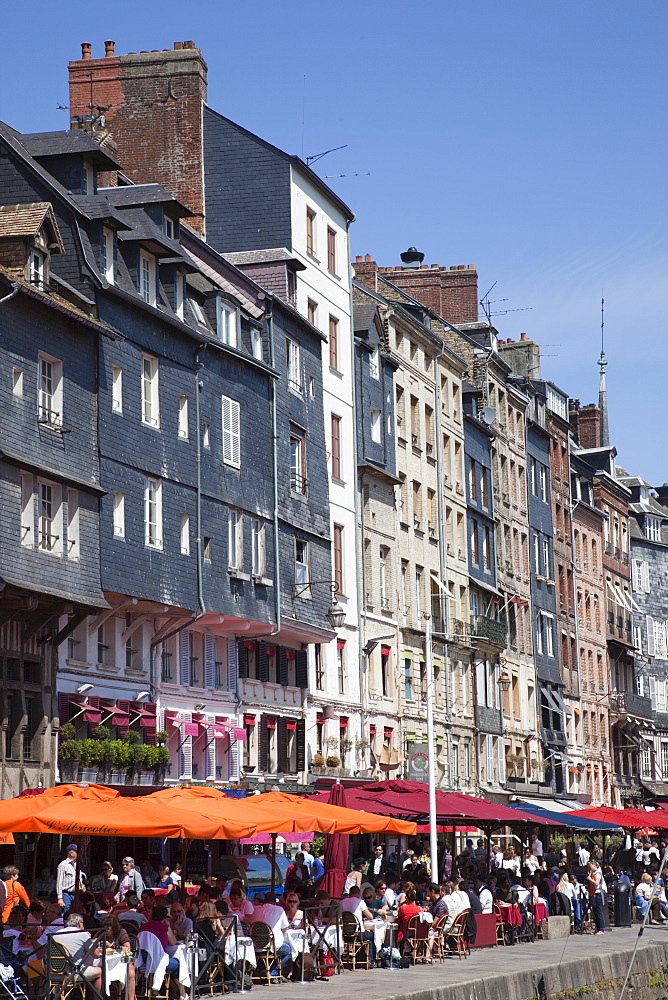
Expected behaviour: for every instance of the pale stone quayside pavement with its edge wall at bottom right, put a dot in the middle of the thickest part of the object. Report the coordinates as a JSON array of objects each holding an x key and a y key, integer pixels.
[{"x": 570, "y": 963}]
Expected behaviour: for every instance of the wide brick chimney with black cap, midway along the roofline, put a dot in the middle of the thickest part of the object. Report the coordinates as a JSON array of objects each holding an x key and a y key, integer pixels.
[{"x": 451, "y": 292}]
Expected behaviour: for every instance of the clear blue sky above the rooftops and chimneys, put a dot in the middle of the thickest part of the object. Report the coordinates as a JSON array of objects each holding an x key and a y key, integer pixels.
[{"x": 526, "y": 138}]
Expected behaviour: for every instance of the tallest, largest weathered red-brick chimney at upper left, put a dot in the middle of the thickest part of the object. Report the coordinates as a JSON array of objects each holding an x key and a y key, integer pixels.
[{"x": 153, "y": 112}]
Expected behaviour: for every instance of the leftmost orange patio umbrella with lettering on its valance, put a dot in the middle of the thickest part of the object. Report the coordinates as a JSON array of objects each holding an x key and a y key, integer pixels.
[{"x": 98, "y": 811}]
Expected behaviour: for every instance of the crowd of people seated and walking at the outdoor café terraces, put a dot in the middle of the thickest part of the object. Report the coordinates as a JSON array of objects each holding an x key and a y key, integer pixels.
[{"x": 390, "y": 888}]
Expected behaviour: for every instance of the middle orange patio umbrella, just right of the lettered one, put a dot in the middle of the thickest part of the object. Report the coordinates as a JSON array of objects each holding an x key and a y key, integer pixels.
[{"x": 273, "y": 817}]
